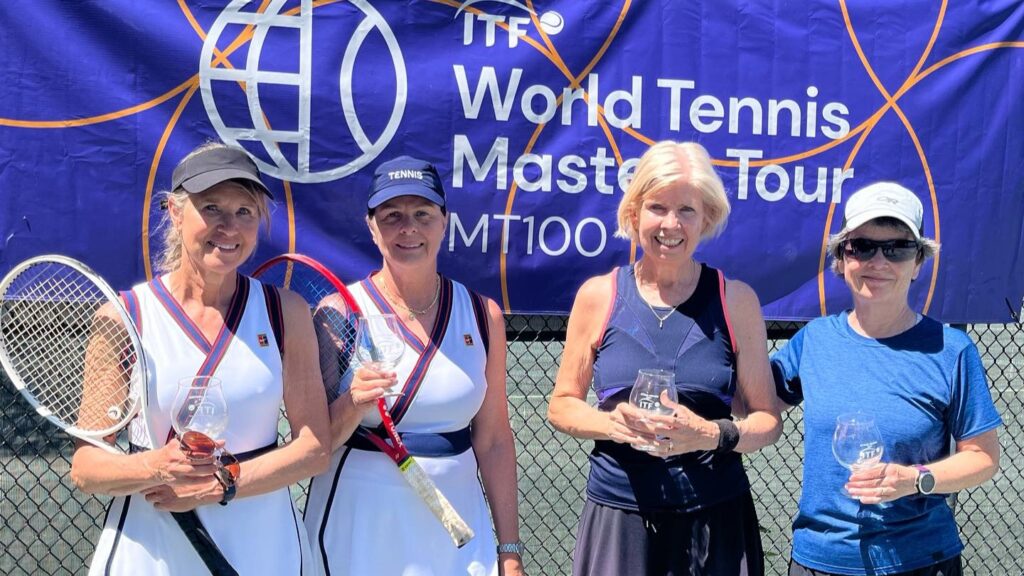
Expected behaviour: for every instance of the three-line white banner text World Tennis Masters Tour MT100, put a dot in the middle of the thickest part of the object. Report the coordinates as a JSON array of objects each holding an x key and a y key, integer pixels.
[{"x": 487, "y": 96}]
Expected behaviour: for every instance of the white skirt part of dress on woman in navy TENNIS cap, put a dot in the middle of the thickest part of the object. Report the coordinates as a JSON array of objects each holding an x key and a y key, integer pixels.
[{"x": 364, "y": 519}]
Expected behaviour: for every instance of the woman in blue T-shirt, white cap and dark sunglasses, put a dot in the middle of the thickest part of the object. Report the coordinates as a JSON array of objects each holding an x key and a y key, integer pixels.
[{"x": 921, "y": 383}]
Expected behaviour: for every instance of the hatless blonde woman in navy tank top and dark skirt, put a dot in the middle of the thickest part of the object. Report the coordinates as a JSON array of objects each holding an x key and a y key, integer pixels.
[{"x": 685, "y": 506}]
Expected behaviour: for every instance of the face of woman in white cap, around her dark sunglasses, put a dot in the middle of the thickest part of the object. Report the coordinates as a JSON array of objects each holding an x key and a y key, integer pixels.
[{"x": 879, "y": 280}]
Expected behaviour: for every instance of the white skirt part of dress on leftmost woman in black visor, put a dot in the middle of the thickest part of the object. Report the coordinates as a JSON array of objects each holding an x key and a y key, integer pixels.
[{"x": 258, "y": 536}]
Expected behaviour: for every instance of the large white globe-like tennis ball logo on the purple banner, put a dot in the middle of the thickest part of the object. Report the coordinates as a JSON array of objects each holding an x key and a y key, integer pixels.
[{"x": 280, "y": 136}]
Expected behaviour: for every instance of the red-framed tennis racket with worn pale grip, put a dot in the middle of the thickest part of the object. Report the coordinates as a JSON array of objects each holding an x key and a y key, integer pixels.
[{"x": 336, "y": 320}]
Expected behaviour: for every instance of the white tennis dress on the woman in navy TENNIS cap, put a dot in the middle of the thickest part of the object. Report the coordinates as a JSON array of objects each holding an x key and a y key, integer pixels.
[{"x": 362, "y": 517}]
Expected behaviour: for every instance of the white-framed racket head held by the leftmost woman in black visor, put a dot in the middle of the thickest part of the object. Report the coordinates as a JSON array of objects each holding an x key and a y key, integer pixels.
[{"x": 71, "y": 349}]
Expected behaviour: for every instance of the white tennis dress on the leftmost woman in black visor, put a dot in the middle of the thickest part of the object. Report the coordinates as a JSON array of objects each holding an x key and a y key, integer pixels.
[{"x": 258, "y": 536}]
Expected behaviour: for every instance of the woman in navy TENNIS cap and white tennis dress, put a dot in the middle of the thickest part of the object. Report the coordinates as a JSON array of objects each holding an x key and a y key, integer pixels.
[{"x": 453, "y": 415}]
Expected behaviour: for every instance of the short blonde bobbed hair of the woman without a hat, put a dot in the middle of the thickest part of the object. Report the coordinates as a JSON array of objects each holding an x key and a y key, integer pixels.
[{"x": 666, "y": 164}]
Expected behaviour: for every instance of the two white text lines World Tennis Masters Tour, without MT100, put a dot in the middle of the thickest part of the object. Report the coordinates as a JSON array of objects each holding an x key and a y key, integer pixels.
[{"x": 501, "y": 98}]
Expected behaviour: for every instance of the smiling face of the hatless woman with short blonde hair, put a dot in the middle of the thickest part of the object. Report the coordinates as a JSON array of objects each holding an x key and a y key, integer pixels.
[{"x": 670, "y": 222}]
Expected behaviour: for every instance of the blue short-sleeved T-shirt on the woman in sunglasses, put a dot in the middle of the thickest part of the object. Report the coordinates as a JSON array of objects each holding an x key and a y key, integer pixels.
[{"x": 925, "y": 388}]
